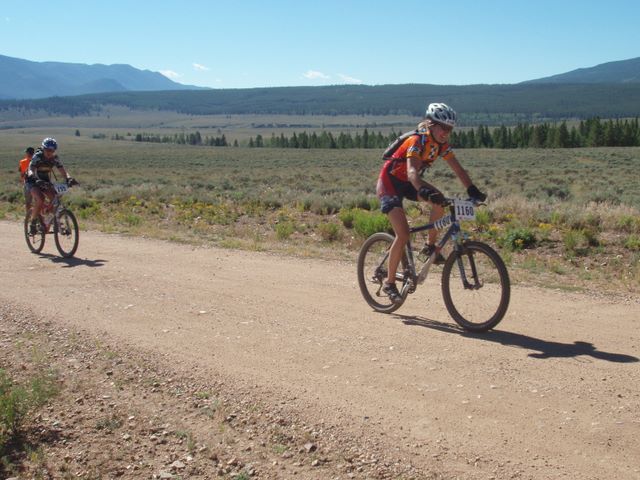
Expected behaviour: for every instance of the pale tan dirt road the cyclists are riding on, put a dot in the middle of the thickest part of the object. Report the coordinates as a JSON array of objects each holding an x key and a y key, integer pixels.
[{"x": 552, "y": 393}]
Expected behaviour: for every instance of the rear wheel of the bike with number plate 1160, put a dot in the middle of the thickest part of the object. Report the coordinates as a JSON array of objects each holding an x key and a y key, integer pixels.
[{"x": 372, "y": 271}]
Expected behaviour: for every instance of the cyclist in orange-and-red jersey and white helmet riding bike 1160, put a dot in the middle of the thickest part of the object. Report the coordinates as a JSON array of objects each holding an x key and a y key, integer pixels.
[{"x": 401, "y": 177}]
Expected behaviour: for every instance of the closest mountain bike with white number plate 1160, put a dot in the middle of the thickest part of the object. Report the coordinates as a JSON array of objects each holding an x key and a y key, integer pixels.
[{"x": 475, "y": 281}]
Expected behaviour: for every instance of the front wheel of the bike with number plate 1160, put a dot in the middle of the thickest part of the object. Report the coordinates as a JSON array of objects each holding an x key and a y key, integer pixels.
[{"x": 476, "y": 287}]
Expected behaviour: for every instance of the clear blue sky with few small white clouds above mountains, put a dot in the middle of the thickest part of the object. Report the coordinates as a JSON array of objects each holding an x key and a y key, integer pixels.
[{"x": 238, "y": 44}]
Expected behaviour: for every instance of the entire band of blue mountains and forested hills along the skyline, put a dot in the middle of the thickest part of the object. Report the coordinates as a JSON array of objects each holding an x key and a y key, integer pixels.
[{"x": 610, "y": 90}]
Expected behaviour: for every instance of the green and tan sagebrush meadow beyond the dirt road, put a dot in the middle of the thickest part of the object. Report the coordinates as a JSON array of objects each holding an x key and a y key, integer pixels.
[{"x": 567, "y": 218}]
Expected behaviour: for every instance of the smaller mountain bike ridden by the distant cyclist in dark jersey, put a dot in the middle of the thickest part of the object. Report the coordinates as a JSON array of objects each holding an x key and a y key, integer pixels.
[{"x": 56, "y": 215}]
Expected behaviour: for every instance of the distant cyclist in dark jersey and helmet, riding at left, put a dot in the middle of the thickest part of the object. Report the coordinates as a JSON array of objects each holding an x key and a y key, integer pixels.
[{"x": 39, "y": 173}]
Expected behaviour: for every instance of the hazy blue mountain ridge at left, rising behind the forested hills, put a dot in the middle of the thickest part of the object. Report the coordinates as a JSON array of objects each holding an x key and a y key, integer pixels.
[{"x": 22, "y": 79}]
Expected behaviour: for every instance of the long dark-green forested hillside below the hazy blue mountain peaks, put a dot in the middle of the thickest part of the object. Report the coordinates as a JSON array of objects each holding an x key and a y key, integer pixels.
[{"x": 488, "y": 104}]
